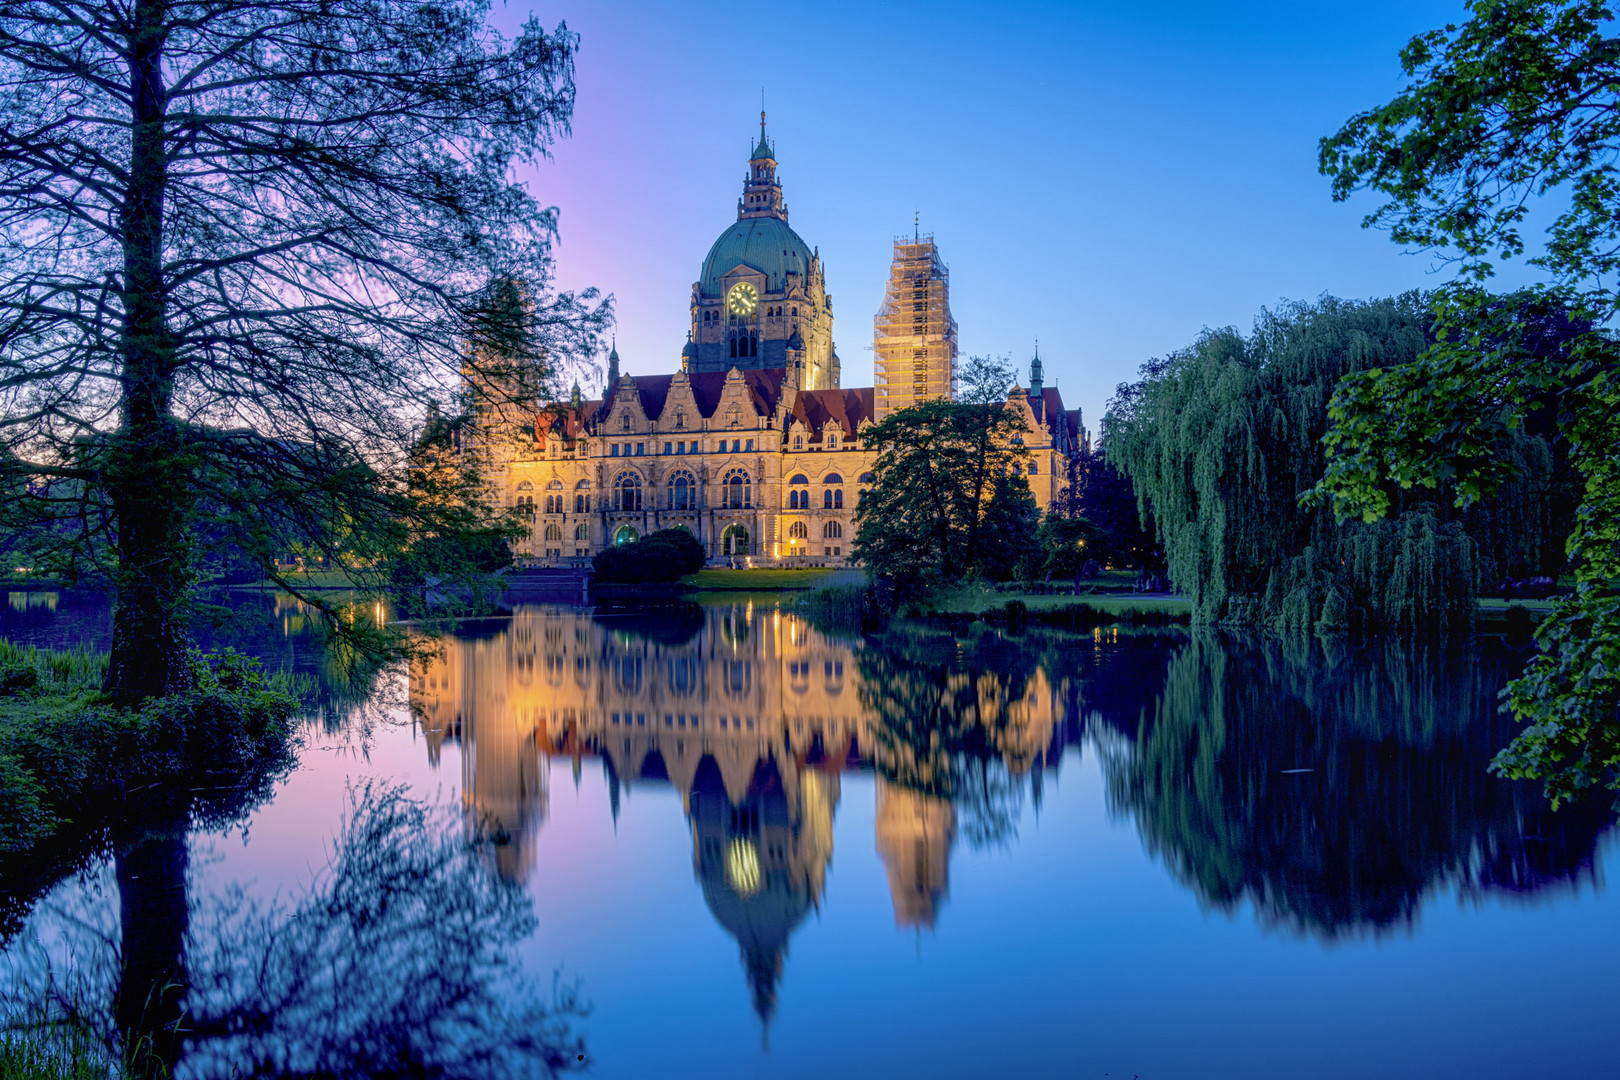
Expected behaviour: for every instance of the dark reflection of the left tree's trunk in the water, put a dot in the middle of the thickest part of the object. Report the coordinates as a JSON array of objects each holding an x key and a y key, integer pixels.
[{"x": 153, "y": 980}]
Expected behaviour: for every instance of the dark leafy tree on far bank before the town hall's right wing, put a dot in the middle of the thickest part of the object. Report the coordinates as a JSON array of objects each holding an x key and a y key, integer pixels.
[{"x": 947, "y": 503}]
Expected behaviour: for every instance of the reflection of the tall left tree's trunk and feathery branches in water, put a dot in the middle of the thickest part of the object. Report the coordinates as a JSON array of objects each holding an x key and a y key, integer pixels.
[{"x": 398, "y": 963}]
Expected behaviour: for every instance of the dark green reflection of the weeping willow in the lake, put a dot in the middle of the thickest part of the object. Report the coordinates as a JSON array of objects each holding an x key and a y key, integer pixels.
[{"x": 1337, "y": 788}]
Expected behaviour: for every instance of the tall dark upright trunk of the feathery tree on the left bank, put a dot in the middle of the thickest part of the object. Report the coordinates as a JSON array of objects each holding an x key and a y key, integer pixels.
[{"x": 147, "y": 469}]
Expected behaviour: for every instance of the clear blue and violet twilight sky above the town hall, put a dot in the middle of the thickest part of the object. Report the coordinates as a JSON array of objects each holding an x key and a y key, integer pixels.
[{"x": 1109, "y": 179}]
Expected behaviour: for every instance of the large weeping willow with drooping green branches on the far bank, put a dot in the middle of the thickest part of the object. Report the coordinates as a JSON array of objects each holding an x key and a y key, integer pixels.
[{"x": 1222, "y": 440}]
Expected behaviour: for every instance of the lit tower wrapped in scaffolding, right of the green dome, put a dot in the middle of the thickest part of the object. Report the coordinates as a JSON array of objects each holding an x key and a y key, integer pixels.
[{"x": 916, "y": 334}]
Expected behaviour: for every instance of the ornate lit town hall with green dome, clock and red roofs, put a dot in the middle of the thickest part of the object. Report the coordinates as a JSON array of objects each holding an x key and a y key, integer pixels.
[{"x": 752, "y": 444}]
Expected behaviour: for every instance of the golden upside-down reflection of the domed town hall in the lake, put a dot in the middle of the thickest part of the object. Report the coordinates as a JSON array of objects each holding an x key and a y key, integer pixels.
[{"x": 749, "y": 713}]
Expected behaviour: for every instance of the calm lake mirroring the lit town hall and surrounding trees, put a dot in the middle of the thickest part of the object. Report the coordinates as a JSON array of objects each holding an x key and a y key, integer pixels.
[{"x": 761, "y": 851}]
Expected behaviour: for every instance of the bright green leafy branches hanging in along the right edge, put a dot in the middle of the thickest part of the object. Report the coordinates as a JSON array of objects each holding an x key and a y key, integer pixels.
[{"x": 1501, "y": 113}]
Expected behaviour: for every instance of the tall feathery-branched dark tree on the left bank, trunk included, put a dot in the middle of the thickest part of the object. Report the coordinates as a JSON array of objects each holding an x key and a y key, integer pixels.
[{"x": 244, "y": 245}]
